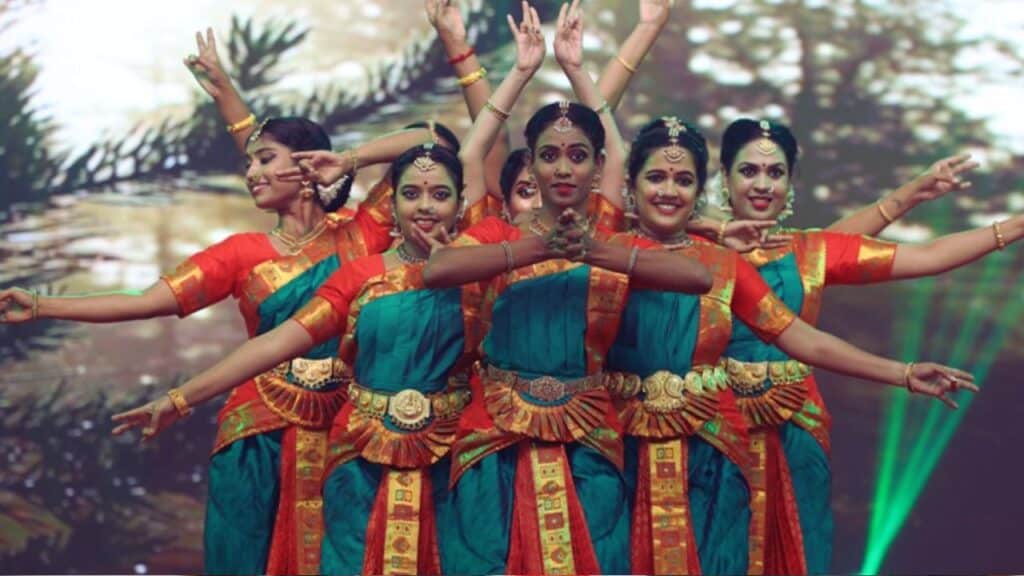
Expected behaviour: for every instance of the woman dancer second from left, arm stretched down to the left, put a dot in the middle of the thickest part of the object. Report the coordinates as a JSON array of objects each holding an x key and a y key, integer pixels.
[{"x": 406, "y": 352}]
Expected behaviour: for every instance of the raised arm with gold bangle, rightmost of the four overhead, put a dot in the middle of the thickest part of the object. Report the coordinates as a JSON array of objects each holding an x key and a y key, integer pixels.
[{"x": 620, "y": 71}]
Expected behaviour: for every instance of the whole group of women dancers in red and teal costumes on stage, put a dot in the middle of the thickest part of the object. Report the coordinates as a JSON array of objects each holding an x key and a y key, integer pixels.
[{"x": 580, "y": 357}]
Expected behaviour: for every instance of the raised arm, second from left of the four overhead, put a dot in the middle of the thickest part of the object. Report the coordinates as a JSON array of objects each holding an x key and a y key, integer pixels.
[{"x": 530, "y": 56}]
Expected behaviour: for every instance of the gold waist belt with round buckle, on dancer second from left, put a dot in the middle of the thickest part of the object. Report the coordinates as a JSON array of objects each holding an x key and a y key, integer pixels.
[{"x": 411, "y": 409}]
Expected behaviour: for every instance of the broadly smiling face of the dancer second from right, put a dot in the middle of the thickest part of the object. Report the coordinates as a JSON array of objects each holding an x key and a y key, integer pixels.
[{"x": 666, "y": 193}]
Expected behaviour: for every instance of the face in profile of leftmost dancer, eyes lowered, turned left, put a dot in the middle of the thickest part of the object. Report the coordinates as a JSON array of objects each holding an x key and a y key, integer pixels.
[{"x": 265, "y": 157}]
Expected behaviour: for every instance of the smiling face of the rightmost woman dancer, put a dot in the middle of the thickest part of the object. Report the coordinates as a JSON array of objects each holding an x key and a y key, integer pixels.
[{"x": 759, "y": 183}]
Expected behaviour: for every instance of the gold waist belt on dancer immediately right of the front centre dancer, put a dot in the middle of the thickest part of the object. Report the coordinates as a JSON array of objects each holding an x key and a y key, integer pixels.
[{"x": 664, "y": 391}]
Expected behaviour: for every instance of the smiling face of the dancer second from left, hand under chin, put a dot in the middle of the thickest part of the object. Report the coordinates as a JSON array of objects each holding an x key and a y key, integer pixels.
[{"x": 425, "y": 199}]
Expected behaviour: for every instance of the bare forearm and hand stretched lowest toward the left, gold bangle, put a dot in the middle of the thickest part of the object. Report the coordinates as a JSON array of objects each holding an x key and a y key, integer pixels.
[{"x": 251, "y": 359}]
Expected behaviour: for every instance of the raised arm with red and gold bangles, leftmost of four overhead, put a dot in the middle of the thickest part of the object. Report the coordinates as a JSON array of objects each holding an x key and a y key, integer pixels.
[{"x": 446, "y": 17}]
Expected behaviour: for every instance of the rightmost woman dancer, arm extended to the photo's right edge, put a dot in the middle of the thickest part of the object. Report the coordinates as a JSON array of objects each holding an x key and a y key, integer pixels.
[{"x": 792, "y": 523}]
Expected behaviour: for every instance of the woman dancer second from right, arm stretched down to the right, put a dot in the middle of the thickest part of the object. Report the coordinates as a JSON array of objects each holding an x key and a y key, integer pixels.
[{"x": 687, "y": 443}]
